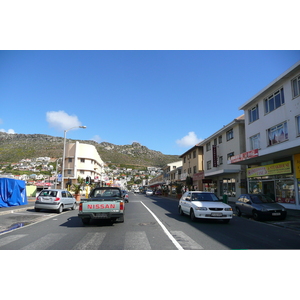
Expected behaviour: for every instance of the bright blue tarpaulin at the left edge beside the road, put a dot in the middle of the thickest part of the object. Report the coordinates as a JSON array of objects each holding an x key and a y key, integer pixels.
[{"x": 12, "y": 192}]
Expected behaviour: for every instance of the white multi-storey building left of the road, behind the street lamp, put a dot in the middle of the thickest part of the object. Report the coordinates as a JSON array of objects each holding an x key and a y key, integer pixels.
[{"x": 82, "y": 160}]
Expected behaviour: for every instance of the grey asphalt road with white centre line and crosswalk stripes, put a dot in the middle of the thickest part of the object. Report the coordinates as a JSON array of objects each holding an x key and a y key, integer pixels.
[{"x": 151, "y": 223}]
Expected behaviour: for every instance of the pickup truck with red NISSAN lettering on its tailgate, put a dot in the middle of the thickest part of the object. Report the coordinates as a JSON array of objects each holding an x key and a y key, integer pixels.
[{"x": 103, "y": 203}]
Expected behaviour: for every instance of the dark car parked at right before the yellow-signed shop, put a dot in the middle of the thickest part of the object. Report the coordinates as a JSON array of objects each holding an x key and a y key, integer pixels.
[{"x": 259, "y": 206}]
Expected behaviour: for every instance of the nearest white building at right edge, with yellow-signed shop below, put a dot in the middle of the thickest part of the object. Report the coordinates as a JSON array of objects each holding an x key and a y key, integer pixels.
[{"x": 272, "y": 135}]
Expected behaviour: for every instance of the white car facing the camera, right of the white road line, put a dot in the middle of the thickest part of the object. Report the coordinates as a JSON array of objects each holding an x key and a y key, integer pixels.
[{"x": 204, "y": 205}]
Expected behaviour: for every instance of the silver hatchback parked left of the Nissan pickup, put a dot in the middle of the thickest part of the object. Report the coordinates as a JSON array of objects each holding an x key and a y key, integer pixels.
[{"x": 54, "y": 199}]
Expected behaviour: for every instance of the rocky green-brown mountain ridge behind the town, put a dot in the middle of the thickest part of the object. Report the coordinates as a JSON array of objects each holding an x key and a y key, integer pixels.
[{"x": 14, "y": 147}]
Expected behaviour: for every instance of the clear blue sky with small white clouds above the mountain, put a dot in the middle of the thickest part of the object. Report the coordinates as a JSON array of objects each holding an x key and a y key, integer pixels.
[{"x": 165, "y": 100}]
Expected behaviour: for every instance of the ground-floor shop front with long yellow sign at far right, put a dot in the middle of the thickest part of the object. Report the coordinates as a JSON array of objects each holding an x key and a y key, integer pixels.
[{"x": 278, "y": 181}]
